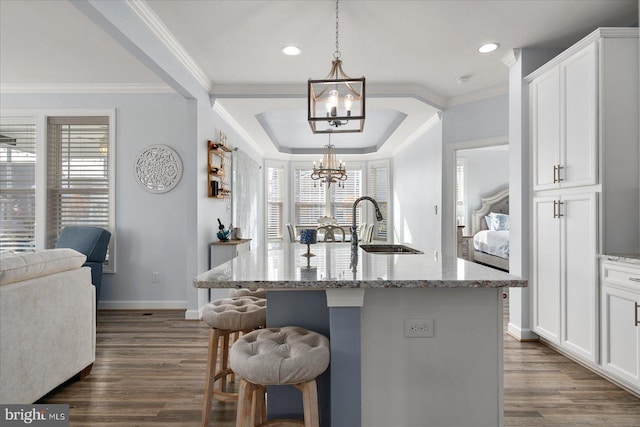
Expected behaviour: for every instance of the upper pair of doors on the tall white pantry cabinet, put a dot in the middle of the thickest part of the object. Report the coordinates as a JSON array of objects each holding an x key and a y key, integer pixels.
[{"x": 564, "y": 123}]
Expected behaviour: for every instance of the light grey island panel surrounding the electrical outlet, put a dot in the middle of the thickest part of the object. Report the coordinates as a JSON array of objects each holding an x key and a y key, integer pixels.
[{"x": 452, "y": 379}]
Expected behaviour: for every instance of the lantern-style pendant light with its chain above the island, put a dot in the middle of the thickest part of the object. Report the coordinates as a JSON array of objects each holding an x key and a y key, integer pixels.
[{"x": 342, "y": 97}]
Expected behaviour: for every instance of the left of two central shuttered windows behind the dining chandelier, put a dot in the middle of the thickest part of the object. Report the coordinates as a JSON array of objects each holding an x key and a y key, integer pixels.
[{"x": 309, "y": 199}]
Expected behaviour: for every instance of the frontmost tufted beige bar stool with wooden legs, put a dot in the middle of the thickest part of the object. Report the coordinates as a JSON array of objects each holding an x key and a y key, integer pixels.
[{"x": 277, "y": 356}]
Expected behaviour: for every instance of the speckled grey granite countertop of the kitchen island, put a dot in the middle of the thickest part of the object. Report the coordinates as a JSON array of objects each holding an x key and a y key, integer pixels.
[{"x": 282, "y": 266}]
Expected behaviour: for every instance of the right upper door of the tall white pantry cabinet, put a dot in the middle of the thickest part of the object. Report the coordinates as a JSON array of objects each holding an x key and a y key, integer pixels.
[{"x": 579, "y": 119}]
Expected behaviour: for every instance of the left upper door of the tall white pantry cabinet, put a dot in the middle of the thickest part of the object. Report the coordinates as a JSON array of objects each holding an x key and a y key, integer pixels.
[{"x": 545, "y": 128}]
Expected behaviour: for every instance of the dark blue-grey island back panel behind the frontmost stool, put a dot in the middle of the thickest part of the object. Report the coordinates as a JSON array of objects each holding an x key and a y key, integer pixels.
[{"x": 307, "y": 309}]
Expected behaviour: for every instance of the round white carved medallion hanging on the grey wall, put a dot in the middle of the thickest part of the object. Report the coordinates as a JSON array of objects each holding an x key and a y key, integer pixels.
[{"x": 158, "y": 168}]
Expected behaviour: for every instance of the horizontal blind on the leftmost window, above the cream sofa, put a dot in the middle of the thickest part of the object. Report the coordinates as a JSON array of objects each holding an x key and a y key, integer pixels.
[{"x": 17, "y": 184}]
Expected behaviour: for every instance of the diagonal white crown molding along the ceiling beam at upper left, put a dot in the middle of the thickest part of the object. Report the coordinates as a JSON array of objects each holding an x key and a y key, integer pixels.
[{"x": 153, "y": 22}]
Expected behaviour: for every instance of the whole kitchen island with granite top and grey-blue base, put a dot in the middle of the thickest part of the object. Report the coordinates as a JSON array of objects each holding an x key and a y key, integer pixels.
[{"x": 378, "y": 376}]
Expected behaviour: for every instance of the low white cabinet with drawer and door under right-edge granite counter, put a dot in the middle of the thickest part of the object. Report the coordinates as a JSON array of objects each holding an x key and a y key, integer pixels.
[{"x": 620, "y": 321}]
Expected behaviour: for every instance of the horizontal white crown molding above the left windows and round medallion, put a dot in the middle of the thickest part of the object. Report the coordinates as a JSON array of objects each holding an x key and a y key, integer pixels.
[{"x": 103, "y": 88}]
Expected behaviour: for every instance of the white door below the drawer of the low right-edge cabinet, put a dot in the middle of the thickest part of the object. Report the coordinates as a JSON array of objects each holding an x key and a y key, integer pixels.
[{"x": 620, "y": 334}]
